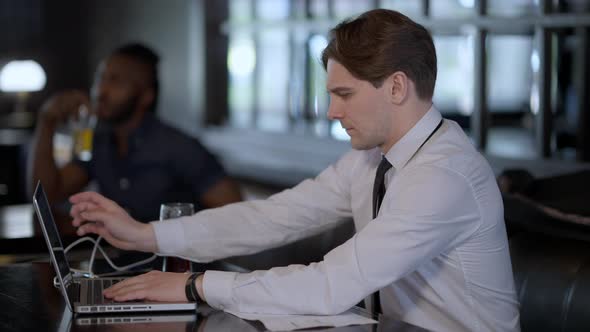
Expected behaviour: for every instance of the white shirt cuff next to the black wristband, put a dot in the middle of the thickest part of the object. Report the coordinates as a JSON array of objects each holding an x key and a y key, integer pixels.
[{"x": 218, "y": 288}]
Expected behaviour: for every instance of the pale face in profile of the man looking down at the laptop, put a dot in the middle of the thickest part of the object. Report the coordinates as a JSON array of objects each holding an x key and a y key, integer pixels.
[{"x": 363, "y": 110}]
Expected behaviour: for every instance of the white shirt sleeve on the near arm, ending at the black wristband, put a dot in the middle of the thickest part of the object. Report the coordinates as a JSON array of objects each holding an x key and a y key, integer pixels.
[{"x": 434, "y": 212}]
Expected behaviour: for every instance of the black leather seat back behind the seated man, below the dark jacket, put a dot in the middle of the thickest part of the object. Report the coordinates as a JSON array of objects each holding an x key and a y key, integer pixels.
[{"x": 552, "y": 276}]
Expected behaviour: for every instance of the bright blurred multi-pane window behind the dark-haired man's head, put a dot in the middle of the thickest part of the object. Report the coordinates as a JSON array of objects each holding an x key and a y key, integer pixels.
[{"x": 277, "y": 81}]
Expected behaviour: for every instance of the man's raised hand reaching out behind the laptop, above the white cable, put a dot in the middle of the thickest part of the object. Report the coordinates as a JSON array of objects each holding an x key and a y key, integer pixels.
[{"x": 93, "y": 213}]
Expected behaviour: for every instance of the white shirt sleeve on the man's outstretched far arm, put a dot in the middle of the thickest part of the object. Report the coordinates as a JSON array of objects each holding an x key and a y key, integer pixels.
[{"x": 249, "y": 227}]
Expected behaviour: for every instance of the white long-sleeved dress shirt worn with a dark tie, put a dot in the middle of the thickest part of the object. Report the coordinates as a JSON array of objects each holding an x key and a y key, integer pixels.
[{"x": 437, "y": 251}]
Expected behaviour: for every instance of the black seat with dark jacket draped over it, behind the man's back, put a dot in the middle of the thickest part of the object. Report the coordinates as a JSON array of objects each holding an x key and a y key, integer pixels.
[{"x": 548, "y": 223}]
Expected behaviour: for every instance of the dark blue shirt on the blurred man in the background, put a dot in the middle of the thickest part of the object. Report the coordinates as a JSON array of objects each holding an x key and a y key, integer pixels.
[{"x": 162, "y": 165}]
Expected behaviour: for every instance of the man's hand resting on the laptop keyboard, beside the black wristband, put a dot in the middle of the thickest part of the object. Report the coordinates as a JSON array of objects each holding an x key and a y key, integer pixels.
[{"x": 152, "y": 286}]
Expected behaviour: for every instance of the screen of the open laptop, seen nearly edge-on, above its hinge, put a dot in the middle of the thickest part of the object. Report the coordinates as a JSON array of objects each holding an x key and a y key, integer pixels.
[{"x": 50, "y": 231}]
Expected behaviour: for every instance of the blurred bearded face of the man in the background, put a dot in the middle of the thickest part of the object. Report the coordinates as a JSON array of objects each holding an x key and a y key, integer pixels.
[{"x": 117, "y": 86}]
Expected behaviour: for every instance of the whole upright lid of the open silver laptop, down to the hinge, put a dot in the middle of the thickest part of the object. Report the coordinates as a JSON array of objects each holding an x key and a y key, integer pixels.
[{"x": 54, "y": 244}]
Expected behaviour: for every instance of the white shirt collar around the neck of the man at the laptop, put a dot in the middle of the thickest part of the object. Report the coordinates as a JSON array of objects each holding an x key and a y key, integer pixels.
[{"x": 402, "y": 151}]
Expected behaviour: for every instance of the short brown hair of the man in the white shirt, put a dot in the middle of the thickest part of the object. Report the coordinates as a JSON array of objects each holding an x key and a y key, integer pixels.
[{"x": 381, "y": 42}]
